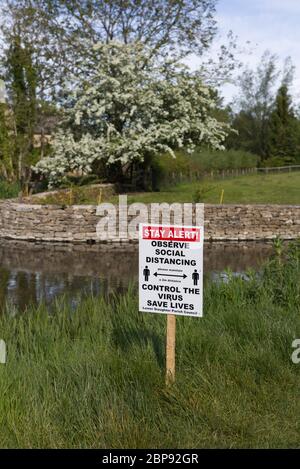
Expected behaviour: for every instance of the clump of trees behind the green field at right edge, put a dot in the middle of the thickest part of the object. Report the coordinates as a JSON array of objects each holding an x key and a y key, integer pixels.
[{"x": 257, "y": 106}]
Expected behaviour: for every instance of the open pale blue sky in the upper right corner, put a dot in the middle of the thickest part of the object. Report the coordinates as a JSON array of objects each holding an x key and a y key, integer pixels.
[{"x": 267, "y": 24}]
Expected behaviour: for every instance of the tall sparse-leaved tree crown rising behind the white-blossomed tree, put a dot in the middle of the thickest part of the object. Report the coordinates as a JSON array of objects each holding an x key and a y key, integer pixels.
[{"x": 61, "y": 32}]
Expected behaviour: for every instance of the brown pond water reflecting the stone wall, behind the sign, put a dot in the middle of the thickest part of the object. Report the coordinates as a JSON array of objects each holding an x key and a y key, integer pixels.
[{"x": 31, "y": 273}]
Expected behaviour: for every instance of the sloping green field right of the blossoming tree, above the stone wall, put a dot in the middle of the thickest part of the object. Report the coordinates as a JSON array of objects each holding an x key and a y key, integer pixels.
[{"x": 253, "y": 189}]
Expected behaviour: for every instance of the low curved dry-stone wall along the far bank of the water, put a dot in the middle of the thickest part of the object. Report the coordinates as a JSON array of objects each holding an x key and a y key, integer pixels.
[{"x": 78, "y": 223}]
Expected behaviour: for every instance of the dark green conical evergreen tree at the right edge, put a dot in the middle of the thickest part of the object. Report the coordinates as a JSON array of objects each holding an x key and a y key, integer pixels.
[{"x": 284, "y": 128}]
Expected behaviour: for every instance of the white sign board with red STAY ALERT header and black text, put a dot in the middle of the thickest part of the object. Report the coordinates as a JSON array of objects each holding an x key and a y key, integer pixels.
[{"x": 171, "y": 269}]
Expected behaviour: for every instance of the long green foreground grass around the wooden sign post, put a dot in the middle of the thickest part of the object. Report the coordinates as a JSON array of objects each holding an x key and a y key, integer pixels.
[{"x": 94, "y": 377}]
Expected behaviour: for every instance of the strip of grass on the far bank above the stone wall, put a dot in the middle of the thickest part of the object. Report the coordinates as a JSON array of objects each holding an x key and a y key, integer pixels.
[{"x": 281, "y": 188}]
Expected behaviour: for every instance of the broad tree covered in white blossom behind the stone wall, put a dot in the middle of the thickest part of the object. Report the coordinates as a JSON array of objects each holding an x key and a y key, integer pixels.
[{"x": 131, "y": 108}]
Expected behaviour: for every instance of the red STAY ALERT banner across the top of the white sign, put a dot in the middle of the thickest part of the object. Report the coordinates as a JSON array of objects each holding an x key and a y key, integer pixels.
[{"x": 171, "y": 233}]
